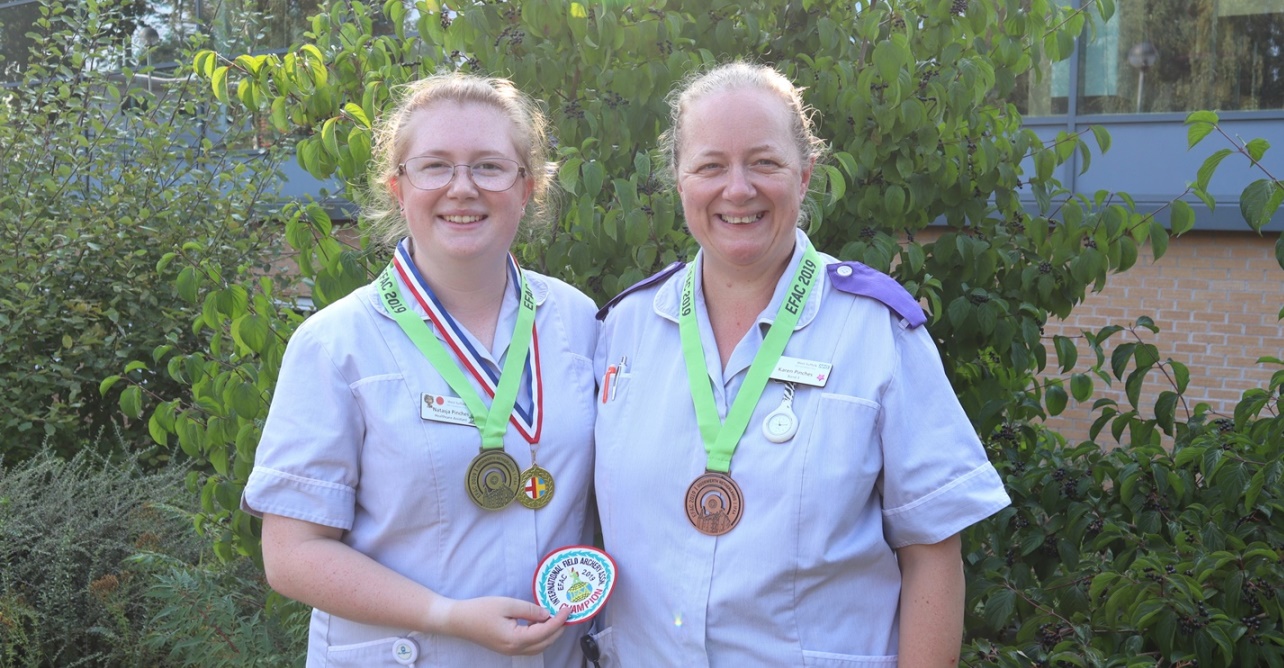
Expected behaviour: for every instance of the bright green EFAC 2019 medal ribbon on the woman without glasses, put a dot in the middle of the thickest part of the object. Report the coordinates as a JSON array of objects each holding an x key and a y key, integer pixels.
[{"x": 721, "y": 440}]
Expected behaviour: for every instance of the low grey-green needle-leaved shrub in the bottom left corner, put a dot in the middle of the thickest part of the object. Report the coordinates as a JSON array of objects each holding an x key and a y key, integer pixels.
[{"x": 66, "y": 529}]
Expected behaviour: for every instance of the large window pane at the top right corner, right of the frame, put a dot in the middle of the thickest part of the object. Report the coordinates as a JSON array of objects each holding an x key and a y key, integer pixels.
[{"x": 1181, "y": 56}]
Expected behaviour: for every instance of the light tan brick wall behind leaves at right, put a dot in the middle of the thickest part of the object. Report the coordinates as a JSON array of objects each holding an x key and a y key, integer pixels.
[{"x": 1215, "y": 299}]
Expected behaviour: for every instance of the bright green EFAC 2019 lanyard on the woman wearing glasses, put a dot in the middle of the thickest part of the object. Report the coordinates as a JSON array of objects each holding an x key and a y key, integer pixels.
[{"x": 496, "y": 421}]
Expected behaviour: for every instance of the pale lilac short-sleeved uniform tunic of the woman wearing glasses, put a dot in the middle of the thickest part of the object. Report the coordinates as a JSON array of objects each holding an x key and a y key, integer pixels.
[{"x": 346, "y": 446}]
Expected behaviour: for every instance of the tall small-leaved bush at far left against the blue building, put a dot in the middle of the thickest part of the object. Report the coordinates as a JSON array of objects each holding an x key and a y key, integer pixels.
[{"x": 103, "y": 178}]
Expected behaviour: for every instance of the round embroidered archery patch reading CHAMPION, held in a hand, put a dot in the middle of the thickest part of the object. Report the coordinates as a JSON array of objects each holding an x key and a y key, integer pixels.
[{"x": 578, "y": 577}]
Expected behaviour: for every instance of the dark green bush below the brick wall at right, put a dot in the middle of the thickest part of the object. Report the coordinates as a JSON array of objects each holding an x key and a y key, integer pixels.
[{"x": 1147, "y": 552}]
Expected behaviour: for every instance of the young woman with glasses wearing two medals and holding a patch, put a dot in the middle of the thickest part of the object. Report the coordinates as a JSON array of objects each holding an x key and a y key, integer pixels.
[{"x": 431, "y": 436}]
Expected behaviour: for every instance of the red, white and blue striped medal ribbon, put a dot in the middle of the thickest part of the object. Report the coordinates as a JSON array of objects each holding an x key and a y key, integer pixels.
[{"x": 528, "y": 423}]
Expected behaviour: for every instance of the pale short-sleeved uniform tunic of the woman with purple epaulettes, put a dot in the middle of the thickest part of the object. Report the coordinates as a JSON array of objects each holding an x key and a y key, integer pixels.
[{"x": 884, "y": 458}]
